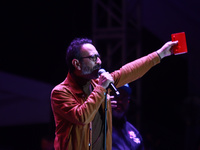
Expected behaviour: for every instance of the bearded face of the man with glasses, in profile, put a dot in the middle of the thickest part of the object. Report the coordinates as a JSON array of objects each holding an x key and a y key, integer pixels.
[{"x": 90, "y": 62}]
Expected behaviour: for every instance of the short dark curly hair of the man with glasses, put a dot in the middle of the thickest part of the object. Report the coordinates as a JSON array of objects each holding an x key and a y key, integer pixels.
[{"x": 73, "y": 51}]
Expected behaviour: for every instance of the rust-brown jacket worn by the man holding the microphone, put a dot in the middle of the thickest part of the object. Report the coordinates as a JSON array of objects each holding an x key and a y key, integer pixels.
[{"x": 74, "y": 111}]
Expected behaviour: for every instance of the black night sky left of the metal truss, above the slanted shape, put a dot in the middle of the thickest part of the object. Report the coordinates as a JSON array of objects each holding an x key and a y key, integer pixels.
[{"x": 36, "y": 34}]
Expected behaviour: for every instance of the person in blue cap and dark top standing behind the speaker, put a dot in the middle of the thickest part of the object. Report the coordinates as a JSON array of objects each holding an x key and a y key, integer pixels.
[{"x": 124, "y": 134}]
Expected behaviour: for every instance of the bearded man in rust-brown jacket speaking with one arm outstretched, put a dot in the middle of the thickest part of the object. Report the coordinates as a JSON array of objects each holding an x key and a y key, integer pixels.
[{"x": 78, "y": 102}]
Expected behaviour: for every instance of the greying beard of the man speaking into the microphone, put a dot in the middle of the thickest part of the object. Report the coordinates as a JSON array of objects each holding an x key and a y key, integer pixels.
[{"x": 90, "y": 73}]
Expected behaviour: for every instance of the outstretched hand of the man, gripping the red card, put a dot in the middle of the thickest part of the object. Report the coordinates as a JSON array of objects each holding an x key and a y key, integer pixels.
[{"x": 166, "y": 49}]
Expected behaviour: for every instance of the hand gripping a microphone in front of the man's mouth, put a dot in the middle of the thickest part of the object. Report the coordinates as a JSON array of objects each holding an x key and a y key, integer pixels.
[{"x": 106, "y": 80}]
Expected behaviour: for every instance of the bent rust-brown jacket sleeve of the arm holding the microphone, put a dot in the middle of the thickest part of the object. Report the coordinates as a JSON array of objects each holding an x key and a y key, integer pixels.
[{"x": 76, "y": 109}]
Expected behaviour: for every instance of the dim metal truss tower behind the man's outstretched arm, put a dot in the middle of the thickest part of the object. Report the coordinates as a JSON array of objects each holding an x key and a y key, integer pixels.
[{"x": 117, "y": 33}]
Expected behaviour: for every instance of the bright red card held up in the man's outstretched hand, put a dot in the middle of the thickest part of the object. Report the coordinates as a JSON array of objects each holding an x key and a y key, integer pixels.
[{"x": 181, "y": 47}]
